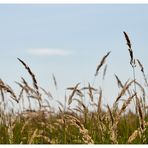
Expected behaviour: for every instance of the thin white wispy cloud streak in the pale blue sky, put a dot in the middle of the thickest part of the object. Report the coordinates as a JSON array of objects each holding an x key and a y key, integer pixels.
[{"x": 48, "y": 52}]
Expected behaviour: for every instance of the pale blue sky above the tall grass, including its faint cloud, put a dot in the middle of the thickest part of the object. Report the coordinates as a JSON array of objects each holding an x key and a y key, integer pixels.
[{"x": 69, "y": 40}]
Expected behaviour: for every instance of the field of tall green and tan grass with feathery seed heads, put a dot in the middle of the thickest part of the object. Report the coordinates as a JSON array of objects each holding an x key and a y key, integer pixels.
[{"x": 27, "y": 117}]
